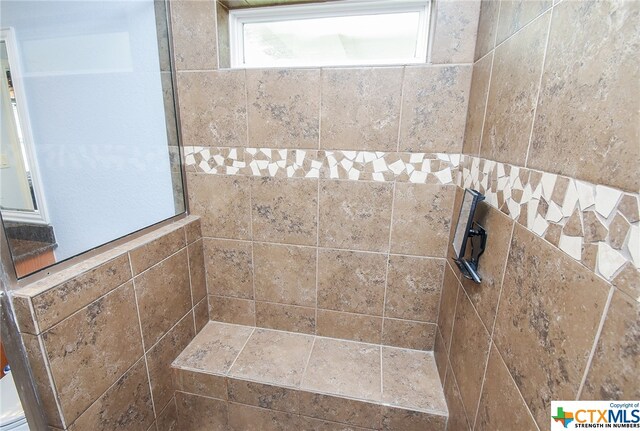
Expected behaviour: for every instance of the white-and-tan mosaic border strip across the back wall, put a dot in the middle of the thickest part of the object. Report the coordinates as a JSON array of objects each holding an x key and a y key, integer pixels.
[{"x": 420, "y": 168}]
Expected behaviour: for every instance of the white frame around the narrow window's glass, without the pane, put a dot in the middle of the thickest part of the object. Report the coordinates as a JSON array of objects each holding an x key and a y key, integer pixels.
[{"x": 239, "y": 17}]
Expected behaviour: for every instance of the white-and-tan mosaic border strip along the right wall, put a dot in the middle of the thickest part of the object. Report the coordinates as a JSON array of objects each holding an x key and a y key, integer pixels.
[{"x": 596, "y": 225}]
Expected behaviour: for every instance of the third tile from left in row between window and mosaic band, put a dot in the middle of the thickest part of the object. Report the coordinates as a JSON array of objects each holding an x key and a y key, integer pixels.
[{"x": 361, "y": 108}]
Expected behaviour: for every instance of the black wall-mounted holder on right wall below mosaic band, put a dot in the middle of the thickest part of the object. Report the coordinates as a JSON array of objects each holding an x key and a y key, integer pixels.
[{"x": 468, "y": 230}]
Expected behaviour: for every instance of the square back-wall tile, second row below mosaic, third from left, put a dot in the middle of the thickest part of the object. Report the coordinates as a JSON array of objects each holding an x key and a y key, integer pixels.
[{"x": 351, "y": 281}]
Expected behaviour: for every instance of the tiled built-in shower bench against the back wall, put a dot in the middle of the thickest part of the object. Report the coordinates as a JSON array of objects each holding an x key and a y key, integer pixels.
[{"x": 233, "y": 377}]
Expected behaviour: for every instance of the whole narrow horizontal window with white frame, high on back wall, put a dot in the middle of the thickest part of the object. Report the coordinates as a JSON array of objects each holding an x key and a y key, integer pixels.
[{"x": 344, "y": 33}]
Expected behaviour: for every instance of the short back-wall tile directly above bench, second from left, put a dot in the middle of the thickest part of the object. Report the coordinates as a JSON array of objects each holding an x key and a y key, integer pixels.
[{"x": 286, "y": 317}]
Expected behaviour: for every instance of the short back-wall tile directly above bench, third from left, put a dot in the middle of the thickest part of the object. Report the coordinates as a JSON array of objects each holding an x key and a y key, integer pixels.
[{"x": 350, "y": 326}]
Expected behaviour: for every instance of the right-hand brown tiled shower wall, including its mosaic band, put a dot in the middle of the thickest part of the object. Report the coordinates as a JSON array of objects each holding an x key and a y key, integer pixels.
[{"x": 552, "y": 141}]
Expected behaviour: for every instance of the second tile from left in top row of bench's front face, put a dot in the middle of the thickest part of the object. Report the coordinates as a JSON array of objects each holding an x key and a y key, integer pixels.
[{"x": 264, "y": 396}]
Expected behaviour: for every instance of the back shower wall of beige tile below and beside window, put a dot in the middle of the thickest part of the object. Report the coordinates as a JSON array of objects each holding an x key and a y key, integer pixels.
[{"x": 325, "y": 194}]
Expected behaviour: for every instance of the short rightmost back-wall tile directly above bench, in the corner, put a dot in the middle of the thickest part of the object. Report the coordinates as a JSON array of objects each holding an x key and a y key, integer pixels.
[{"x": 409, "y": 334}]
